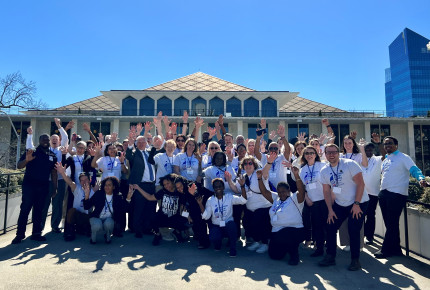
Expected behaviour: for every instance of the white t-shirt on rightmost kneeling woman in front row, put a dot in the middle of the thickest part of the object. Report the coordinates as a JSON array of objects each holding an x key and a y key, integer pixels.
[{"x": 287, "y": 213}]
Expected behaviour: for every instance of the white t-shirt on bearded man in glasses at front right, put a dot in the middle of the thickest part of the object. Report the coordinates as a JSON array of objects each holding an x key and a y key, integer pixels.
[{"x": 341, "y": 176}]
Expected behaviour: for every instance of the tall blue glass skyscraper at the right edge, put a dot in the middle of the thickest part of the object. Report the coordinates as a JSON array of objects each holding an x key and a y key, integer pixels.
[{"x": 407, "y": 81}]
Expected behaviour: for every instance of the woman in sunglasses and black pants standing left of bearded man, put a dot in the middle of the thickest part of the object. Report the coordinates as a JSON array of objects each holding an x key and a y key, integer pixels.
[{"x": 310, "y": 175}]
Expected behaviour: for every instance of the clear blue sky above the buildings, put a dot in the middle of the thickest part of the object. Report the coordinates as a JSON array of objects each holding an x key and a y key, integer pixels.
[{"x": 333, "y": 52}]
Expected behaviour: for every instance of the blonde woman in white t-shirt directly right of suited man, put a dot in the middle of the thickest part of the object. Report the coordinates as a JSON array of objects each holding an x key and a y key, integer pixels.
[{"x": 163, "y": 161}]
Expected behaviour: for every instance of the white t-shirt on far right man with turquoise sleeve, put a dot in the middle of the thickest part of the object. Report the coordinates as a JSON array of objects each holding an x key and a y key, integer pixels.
[{"x": 395, "y": 172}]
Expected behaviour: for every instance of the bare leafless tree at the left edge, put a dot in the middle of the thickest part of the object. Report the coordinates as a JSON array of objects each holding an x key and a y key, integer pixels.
[{"x": 16, "y": 92}]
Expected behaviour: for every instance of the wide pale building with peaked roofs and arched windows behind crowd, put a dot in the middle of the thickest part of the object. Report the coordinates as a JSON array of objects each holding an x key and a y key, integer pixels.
[{"x": 206, "y": 96}]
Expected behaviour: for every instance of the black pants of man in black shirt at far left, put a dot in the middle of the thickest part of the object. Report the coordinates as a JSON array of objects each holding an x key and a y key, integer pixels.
[{"x": 33, "y": 197}]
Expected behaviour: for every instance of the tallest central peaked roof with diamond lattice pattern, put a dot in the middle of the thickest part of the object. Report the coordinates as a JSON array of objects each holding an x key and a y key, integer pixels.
[{"x": 199, "y": 82}]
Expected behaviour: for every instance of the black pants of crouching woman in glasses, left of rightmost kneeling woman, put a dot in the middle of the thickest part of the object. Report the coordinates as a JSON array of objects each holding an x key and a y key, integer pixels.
[{"x": 259, "y": 226}]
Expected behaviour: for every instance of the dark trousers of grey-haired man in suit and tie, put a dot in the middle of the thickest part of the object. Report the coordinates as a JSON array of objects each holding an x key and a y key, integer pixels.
[{"x": 143, "y": 209}]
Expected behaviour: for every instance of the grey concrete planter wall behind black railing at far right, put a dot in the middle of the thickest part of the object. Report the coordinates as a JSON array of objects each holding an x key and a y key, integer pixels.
[{"x": 418, "y": 230}]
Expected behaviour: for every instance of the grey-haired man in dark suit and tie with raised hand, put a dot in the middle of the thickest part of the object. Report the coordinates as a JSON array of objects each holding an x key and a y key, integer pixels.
[{"x": 143, "y": 174}]
